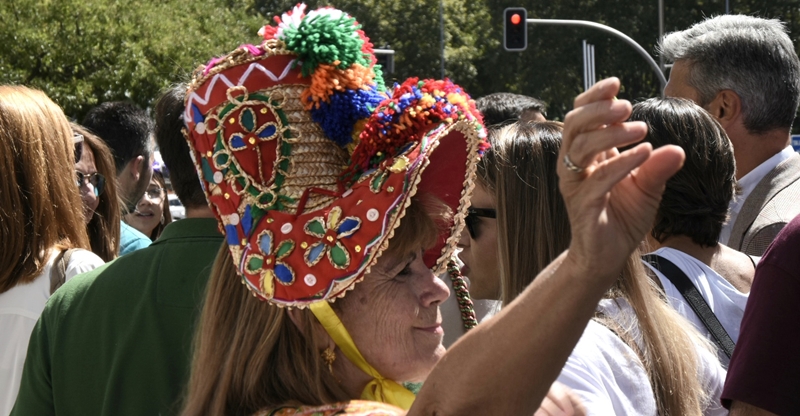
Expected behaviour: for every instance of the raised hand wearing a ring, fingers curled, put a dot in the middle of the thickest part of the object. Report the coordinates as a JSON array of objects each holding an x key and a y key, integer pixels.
[{"x": 611, "y": 197}]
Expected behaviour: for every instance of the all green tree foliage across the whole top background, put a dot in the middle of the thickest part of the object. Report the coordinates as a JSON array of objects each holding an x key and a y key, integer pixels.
[{"x": 82, "y": 52}]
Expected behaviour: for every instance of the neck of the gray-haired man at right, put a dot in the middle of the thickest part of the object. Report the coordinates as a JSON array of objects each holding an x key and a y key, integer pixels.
[{"x": 751, "y": 150}]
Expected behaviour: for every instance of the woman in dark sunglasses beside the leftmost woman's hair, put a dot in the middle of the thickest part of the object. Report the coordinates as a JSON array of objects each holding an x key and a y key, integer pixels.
[{"x": 96, "y": 174}]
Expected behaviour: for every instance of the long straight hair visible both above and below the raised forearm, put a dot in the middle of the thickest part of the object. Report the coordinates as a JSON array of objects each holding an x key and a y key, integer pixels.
[{"x": 533, "y": 229}]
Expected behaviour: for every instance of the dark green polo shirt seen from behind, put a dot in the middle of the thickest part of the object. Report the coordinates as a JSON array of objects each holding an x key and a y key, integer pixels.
[{"x": 117, "y": 340}]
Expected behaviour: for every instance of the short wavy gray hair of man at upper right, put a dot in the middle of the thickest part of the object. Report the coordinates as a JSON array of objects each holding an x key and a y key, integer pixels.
[{"x": 752, "y": 56}]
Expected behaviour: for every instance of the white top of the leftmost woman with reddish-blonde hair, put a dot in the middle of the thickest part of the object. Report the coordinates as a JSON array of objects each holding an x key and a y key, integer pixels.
[{"x": 20, "y": 308}]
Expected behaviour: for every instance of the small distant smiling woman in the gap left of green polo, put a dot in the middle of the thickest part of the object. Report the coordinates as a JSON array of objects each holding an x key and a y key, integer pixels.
[{"x": 152, "y": 212}]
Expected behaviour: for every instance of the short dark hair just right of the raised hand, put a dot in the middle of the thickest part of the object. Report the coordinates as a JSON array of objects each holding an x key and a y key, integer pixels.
[{"x": 695, "y": 202}]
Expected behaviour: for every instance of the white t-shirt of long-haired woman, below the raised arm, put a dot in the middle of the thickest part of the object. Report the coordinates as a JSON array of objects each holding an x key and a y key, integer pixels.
[{"x": 610, "y": 378}]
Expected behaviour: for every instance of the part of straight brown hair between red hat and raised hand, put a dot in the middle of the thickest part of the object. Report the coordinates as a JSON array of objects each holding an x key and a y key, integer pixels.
[{"x": 519, "y": 169}]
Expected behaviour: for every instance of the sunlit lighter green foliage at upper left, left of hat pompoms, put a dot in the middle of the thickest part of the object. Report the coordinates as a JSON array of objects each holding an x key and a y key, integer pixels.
[{"x": 83, "y": 52}]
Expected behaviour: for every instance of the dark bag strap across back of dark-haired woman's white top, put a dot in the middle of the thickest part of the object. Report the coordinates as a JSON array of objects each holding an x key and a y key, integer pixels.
[{"x": 694, "y": 299}]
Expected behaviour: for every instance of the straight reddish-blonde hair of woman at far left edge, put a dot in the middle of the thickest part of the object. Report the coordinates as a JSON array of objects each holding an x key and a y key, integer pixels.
[{"x": 40, "y": 206}]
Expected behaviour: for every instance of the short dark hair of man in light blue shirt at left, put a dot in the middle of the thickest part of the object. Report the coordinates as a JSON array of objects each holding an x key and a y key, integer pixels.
[{"x": 124, "y": 127}]
